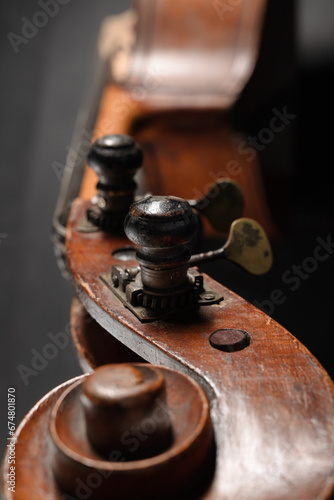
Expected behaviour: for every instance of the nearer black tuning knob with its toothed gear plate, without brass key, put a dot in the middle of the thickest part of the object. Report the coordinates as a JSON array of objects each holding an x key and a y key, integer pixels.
[{"x": 162, "y": 284}]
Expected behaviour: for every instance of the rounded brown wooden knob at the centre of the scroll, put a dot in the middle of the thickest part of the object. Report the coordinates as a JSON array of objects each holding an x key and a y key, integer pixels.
[{"x": 119, "y": 397}]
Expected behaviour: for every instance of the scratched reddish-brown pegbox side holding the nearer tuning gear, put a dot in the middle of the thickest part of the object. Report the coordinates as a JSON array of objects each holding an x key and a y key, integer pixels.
[{"x": 272, "y": 403}]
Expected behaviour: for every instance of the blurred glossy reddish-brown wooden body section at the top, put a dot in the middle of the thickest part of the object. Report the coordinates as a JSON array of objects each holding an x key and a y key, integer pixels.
[{"x": 193, "y": 53}]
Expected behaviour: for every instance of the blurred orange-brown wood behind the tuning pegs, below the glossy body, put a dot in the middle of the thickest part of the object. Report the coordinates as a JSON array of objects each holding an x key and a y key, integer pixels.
[{"x": 184, "y": 153}]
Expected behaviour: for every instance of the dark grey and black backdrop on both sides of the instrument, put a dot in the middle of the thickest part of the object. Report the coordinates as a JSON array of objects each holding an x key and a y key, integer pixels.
[{"x": 41, "y": 91}]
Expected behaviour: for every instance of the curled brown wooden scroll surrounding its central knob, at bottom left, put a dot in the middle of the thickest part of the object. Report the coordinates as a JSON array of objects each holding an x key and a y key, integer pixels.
[{"x": 52, "y": 443}]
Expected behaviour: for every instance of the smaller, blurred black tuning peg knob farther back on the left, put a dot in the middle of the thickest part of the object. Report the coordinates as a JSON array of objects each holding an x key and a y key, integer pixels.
[{"x": 115, "y": 159}]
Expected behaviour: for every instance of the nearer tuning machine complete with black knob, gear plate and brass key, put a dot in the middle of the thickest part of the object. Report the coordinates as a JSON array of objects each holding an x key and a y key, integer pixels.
[{"x": 167, "y": 281}]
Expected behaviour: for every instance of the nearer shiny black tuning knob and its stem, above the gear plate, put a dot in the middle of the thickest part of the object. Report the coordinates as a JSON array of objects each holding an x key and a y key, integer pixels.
[{"x": 162, "y": 226}]
